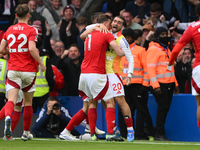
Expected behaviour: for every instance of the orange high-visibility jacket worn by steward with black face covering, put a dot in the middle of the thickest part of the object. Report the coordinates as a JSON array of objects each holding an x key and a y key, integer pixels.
[{"x": 157, "y": 68}]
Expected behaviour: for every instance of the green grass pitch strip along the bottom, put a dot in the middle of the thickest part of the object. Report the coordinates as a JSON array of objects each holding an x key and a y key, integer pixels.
[{"x": 56, "y": 144}]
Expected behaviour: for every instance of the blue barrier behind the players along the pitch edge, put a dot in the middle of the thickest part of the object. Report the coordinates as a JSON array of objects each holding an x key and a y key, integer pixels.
[{"x": 181, "y": 122}]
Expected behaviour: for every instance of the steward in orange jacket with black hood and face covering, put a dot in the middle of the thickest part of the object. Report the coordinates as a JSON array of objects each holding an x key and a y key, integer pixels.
[{"x": 162, "y": 79}]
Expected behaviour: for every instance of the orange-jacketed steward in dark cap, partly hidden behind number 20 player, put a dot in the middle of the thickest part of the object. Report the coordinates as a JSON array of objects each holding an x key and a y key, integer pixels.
[{"x": 133, "y": 95}]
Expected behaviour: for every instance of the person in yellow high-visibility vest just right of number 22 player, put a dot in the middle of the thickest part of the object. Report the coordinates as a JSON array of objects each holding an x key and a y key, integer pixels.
[{"x": 44, "y": 85}]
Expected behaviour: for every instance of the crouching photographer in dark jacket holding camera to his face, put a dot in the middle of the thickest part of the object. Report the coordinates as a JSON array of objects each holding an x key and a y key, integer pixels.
[{"x": 52, "y": 119}]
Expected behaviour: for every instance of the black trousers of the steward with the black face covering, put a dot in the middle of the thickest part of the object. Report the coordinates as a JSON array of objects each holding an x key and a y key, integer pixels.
[{"x": 164, "y": 101}]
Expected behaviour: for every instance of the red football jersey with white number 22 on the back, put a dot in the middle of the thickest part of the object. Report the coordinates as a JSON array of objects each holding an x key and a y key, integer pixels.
[{"x": 18, "y": 37}]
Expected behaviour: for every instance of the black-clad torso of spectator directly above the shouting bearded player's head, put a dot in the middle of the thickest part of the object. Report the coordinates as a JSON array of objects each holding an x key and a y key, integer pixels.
[{"x": 115, "y": 6}]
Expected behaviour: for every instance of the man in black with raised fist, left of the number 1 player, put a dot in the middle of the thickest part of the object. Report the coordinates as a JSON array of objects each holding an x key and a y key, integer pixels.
[{"x": 70, "y": 63}]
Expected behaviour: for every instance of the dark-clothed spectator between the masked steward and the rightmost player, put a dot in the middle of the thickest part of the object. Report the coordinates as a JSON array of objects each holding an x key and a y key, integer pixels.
[{"x": 183, "y": 72}]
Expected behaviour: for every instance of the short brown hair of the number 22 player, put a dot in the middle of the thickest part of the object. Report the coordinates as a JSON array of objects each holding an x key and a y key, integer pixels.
[{"x": 22, "y": 10}]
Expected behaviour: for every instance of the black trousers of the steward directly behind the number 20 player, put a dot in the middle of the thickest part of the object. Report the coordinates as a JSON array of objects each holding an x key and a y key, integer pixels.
[{"x": 136, "y": 95}]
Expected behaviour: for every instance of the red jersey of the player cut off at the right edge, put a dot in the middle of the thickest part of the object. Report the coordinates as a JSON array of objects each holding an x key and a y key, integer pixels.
[{"x": 192, "y": 33}]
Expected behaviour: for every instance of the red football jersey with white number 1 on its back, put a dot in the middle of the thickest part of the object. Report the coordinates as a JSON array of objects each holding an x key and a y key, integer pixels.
[{"x": 96, "y": 45}]
